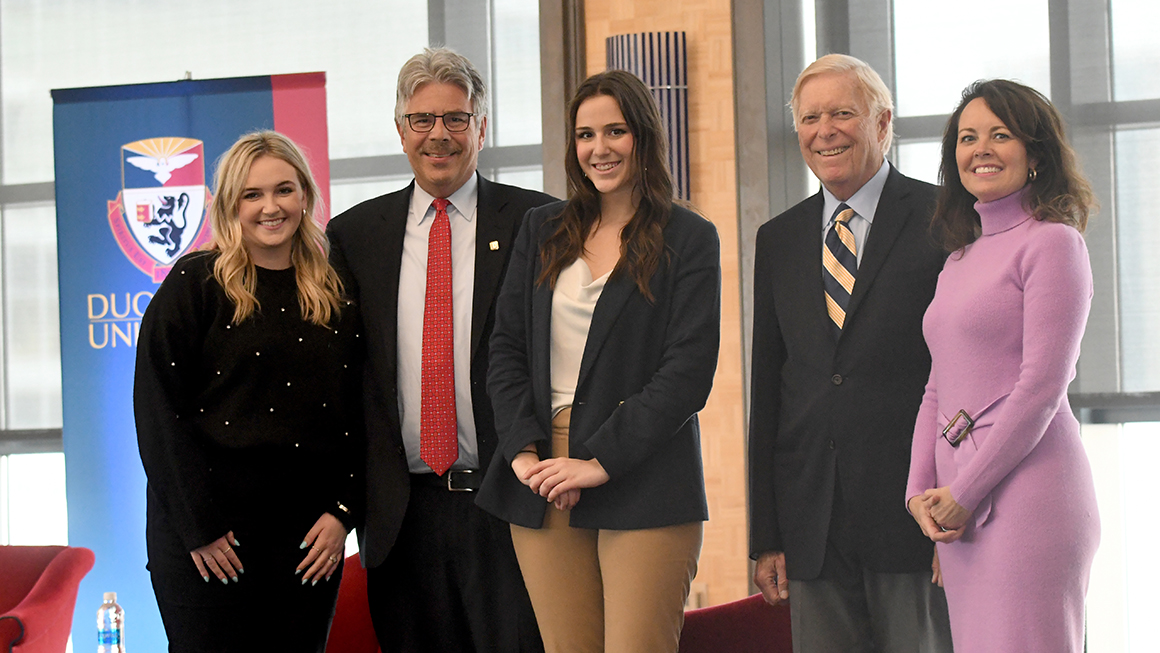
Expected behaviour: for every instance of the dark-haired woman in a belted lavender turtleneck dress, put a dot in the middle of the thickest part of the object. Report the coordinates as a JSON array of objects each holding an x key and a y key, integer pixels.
[{"x": 999, "y": 478}]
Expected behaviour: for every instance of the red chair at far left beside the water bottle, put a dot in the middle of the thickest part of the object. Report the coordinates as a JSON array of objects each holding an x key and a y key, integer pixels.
[{"x": 38, "y": 596}]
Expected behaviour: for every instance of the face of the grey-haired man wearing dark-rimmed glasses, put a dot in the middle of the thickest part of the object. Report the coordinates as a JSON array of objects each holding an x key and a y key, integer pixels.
[{"x": 443, "y": 161}]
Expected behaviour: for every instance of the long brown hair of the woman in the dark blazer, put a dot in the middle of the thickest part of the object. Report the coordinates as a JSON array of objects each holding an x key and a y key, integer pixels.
[{"x": 643, "y": 240}]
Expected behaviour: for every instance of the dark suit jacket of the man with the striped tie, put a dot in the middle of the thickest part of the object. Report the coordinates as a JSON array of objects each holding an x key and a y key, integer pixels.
[{"x": 824, "y": 411}]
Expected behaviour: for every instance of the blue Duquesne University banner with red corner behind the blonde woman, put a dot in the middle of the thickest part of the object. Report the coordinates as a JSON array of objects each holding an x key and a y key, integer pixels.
[{"x": 133, "y": 170}]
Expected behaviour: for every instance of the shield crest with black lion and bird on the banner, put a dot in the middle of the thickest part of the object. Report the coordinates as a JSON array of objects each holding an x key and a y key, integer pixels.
[{"x": 161, "y": 212}]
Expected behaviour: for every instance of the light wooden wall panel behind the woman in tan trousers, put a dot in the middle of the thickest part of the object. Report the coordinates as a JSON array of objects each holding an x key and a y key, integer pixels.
[{"x": 724, "y": 560}]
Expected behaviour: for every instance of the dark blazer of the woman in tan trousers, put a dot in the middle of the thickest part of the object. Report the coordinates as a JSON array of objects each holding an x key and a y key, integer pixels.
[{"x": 646, "y": 373}]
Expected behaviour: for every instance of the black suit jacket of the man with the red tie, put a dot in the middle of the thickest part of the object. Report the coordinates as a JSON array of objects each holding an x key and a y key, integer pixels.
[{"x": 367, "y": 251}]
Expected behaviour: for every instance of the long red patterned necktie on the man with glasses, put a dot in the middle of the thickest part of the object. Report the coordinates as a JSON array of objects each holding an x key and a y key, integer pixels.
[{"x": 439, "y": 444}]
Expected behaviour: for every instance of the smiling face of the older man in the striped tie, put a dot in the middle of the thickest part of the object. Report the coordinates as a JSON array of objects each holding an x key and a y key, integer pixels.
[{"x": 840, "y": 141}]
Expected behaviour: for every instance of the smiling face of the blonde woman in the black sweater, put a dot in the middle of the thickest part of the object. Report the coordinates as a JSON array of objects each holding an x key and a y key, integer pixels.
[{"x": 271, "y": 211}]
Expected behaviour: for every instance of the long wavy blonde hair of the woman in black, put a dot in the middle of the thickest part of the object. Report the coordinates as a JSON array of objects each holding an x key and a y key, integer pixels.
[{"x": 320, "y": 288}]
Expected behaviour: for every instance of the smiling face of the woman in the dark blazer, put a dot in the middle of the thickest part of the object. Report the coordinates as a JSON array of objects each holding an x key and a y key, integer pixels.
[{"x": 605, "y": 146}]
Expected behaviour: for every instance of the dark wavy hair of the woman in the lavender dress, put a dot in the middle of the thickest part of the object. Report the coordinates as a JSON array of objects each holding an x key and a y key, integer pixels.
[{"x": 1058, "y": 193}]
